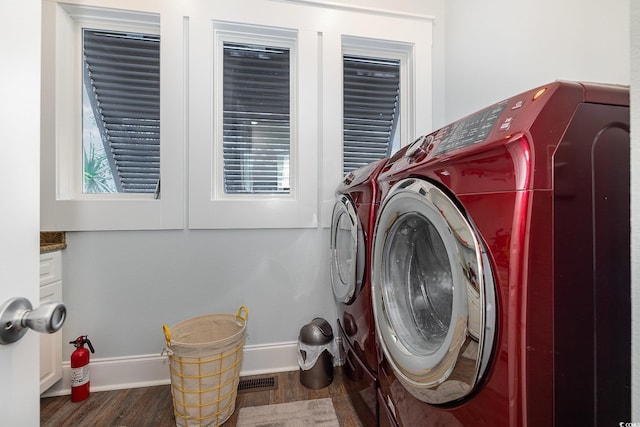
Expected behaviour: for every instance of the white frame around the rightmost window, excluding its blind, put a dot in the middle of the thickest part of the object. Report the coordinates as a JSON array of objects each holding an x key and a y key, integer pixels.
[{"x": 408, "y": 39}]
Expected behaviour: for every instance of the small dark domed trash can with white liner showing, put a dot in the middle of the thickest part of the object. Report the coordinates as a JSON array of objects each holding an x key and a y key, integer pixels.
[{"x": 315, "y": 354}]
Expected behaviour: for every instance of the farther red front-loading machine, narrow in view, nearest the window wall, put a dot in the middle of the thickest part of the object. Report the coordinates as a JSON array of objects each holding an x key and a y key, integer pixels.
[{"x": 351, "y": 232}]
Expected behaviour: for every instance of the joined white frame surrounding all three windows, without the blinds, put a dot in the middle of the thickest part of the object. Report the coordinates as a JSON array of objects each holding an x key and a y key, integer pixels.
[{"x": 189, "y": 195}]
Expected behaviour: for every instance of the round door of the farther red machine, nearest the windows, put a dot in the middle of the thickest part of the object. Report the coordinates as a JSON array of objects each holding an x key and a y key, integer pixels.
[{"x": 347, "y": 251}]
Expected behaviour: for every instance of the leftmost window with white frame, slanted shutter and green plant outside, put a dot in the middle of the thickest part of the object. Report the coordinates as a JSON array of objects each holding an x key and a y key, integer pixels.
[{"x": 107, "y": 84}]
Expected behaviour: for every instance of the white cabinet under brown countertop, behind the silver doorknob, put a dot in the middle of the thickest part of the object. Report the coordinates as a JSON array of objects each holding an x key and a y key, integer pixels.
[{"x": 50, "y": 344}]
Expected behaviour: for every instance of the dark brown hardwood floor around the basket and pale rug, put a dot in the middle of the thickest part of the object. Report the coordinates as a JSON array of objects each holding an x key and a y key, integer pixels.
[{"x": 153, "y": 406}]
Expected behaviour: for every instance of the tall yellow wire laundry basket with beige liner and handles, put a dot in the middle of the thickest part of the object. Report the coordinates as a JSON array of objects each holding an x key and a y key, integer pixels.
[{"x": 205, "y": 358}]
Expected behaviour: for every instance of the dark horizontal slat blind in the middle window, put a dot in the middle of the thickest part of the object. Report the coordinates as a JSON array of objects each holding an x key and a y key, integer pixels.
[{"x": 256, "y": 119}]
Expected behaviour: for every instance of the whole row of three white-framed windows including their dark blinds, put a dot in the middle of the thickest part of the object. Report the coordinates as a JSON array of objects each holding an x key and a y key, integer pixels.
[{"x": 257, "y": 92}]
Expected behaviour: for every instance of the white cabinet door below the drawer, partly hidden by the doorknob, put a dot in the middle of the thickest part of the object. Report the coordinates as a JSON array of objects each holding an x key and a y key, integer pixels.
[{"x": 50, "y": 344}]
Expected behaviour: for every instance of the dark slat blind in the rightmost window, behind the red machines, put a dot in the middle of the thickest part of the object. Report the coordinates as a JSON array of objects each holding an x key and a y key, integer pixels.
[{"x": 371, "y": 92}]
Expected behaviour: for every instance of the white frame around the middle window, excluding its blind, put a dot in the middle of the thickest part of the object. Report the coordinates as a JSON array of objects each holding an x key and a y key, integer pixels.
[{"x": 209, "y": 206}]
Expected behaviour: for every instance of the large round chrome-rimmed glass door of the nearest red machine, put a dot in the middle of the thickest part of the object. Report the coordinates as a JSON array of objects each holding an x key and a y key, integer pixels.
[{"x": 433, "y": 293}]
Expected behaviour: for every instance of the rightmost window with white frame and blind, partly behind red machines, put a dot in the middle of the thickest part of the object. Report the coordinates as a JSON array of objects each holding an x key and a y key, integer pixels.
[{"x": 378, "y": 81}]
